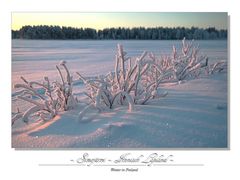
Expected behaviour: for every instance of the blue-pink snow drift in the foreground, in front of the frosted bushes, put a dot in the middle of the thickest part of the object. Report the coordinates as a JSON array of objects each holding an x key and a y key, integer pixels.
[{"x": 194, "y": 114}]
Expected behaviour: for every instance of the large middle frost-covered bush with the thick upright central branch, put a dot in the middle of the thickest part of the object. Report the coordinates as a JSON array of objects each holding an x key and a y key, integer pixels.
[{"x": 126, "y": 85}]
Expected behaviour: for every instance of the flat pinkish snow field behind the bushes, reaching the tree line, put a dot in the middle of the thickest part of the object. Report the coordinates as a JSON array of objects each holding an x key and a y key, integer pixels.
[{"x": 34, "y": 59}]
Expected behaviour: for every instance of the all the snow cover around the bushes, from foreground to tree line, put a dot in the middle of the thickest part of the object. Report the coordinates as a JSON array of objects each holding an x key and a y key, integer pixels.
[{"x": 192, "y": 115}]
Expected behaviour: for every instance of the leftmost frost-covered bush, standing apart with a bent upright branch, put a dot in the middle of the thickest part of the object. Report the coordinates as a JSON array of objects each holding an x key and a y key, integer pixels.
[{"x": 47, "y": 98}]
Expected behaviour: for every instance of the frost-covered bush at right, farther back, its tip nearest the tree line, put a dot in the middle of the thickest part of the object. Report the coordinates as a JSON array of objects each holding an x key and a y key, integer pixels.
[{"x": 174, "y": 68}]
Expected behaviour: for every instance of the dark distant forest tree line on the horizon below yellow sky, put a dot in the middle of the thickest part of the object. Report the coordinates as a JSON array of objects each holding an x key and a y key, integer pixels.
[{"x": 138, "y": 33}]
